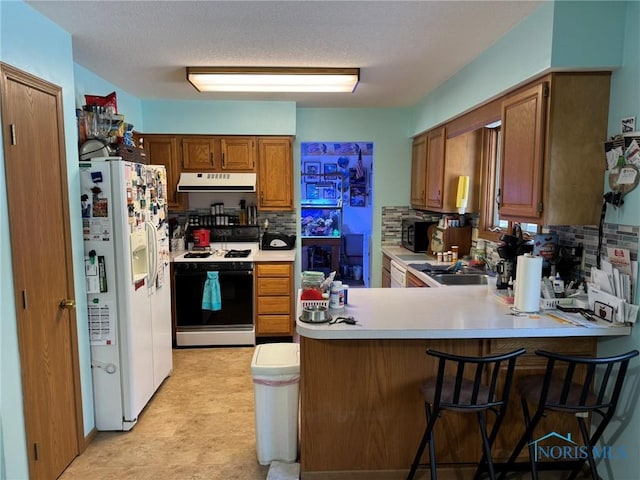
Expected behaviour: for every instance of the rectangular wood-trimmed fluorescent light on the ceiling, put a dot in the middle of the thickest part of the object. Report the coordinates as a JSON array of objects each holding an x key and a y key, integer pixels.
[{"x": 276, "y": 79}]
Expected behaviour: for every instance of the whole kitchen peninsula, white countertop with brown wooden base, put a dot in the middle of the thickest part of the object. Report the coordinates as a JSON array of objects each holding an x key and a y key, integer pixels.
[{"x": 361, "y": 410}]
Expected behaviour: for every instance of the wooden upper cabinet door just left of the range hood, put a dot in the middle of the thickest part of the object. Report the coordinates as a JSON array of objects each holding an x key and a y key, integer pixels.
[{"x": 163, "y": 150}]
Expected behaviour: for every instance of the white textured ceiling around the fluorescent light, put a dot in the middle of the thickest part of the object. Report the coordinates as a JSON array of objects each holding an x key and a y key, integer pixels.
[{"x": 404, "y": 48}]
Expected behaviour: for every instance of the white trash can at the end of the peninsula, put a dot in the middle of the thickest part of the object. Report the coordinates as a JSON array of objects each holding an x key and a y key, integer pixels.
[{"x": 275, "y": 369}]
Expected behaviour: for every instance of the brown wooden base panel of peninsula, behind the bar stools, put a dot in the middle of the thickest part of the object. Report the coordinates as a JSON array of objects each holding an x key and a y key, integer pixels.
[{"x": 362, "y": 411}]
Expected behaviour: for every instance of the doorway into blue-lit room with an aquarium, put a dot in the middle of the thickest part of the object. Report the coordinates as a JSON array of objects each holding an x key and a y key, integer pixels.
[{"x": 336, "y": 212}]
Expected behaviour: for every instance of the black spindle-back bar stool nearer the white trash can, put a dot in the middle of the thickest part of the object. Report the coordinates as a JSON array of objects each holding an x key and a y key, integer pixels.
[{"x": 466, "y": 392}]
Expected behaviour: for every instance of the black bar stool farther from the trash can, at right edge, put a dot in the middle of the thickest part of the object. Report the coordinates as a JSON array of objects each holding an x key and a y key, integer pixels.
[{"x": 560, "y": 390}]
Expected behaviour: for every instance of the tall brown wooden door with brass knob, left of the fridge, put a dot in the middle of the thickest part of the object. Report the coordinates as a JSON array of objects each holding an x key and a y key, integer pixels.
[{"x": 37, "y": 198}]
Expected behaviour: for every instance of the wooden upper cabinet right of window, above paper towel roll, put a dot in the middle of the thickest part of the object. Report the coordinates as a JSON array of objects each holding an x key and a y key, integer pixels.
[{"x": 552, "y": 165}]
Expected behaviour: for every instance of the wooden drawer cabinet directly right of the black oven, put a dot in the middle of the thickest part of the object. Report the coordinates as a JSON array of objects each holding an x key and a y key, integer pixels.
[{"x": 274, "y": 299}]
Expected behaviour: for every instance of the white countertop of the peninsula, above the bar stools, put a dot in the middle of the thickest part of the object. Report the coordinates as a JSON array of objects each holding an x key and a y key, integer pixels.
[{"x": 442, "y": 313}]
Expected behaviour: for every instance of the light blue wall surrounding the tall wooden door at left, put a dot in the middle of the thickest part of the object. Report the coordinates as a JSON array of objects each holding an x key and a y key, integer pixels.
[{"x": 34, "y": 44}]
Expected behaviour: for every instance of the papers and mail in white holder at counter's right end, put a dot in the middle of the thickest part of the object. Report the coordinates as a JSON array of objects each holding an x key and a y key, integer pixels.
[{"x": 612, "y": 287}]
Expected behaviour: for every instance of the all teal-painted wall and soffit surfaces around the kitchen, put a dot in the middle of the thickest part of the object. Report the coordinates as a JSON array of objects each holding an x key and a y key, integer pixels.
[{"x": 558, "y": 35}]
